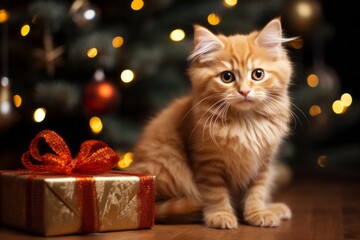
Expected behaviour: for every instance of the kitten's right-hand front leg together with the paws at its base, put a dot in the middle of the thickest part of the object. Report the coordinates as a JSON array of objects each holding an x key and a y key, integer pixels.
[{"x": 256, "y": 211}]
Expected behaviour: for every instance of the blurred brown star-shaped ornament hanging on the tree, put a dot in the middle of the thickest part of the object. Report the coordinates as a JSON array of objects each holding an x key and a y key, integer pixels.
[{"x": 49, "y": 56}]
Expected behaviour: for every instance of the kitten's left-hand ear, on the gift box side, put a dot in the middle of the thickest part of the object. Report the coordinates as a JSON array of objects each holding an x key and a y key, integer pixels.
[{"x": 205, "y": 43}]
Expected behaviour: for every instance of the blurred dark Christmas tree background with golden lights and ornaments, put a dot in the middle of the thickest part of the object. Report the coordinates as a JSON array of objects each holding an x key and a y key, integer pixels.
[{"x": 91, "y": 69}]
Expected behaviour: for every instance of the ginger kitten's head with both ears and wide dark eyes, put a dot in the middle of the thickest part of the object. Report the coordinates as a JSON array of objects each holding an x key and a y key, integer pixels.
[{"x": 245, "y": 72}]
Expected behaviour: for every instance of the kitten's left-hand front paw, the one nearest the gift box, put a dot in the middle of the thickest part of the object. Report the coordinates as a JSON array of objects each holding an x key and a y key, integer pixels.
[{"x": 222, "y": 219}]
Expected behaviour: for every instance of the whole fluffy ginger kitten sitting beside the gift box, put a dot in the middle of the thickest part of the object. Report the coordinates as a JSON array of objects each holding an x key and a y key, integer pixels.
[{"x": 212, "y": 151}]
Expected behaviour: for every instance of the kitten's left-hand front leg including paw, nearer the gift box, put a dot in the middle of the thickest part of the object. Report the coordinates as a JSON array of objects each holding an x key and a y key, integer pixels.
[{"x": 218, "y": 211}]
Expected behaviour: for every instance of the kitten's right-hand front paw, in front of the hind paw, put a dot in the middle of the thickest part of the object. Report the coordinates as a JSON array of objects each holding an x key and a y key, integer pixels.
[{"x": 263, "y": 218}]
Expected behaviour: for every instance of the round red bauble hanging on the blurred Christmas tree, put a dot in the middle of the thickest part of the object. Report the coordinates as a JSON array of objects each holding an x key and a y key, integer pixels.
[{"x": 100, "y": 96}]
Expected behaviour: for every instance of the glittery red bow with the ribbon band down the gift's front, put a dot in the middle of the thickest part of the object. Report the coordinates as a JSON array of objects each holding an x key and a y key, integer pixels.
[{"x": 95, "y": 157}]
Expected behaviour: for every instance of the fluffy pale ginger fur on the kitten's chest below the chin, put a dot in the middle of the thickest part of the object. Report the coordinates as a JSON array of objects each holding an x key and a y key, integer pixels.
[{"x": 245, "y": 143}]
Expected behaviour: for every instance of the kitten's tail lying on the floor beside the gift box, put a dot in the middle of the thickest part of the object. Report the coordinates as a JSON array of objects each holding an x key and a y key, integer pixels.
[{"x": 178, "y": 210}]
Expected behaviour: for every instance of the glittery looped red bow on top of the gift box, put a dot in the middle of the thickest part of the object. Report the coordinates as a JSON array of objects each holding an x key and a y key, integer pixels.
[{"x": 95, "y": 157}]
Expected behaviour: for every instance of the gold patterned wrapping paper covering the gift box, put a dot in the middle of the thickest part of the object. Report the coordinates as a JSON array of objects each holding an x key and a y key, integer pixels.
[{"x": 54, "y": 206}]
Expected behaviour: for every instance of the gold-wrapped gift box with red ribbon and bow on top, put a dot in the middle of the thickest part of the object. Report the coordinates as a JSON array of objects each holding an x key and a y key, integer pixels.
[{"x": 76, "y": 196}]
